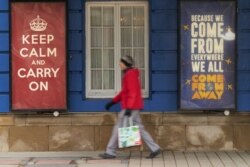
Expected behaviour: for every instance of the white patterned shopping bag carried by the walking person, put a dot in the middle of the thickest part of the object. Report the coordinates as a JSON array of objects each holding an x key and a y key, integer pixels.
[{"x": 129, "y": 135}]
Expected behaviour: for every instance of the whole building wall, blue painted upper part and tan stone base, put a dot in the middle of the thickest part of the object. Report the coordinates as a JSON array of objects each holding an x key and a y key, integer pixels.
[{"x": 91, "y": 131}]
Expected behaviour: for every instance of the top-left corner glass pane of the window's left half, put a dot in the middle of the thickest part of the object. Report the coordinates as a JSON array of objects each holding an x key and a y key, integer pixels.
[{"x": 96, "y": 16}]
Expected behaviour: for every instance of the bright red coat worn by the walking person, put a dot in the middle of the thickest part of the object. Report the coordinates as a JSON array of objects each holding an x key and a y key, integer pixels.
[{"x": 130, "y": 95}]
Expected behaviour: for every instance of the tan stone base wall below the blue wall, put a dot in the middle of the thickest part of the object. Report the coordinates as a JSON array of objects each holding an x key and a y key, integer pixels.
[{"x": 91, "y": 131}]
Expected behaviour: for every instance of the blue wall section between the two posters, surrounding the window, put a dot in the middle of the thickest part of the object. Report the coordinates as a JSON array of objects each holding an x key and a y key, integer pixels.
[{"x": 163, "y": 58}]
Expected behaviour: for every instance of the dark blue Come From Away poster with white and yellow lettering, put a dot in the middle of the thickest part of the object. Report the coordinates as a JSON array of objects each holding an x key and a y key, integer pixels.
[{"x": 207, "y": 55}]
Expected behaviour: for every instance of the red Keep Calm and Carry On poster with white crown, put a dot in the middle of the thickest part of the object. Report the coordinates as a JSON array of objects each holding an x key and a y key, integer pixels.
[{"x": 38, "y": 47}]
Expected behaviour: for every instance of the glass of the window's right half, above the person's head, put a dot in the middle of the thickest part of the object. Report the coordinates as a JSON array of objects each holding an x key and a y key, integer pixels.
[{"x": 133, "y": 36}]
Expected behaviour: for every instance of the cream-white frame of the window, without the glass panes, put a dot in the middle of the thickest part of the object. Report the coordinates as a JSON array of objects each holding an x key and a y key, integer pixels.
[{"x": 117, "y": 51}]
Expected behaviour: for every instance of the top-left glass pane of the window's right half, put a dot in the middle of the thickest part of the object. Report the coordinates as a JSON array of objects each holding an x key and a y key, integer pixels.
[{"x": 126, "y": 16}]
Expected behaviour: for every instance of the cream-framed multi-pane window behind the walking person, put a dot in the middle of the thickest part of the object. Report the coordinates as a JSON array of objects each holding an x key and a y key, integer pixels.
[{"x": 114, "y": 29}]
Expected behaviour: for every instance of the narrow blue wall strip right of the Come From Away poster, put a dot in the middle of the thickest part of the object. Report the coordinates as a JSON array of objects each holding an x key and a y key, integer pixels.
[{"x": 243, "y": 70}]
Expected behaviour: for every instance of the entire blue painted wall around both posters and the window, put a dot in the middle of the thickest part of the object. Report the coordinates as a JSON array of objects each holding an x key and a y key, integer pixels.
[{"x": 163, "y": 57}]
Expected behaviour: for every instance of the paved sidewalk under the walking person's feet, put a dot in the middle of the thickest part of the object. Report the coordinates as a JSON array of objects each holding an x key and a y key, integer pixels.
[{"x": 129, "y": 159}]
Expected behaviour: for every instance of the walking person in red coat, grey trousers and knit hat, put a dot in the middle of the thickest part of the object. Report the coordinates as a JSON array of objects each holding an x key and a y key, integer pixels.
[{"x": 131, "y": 103}]
